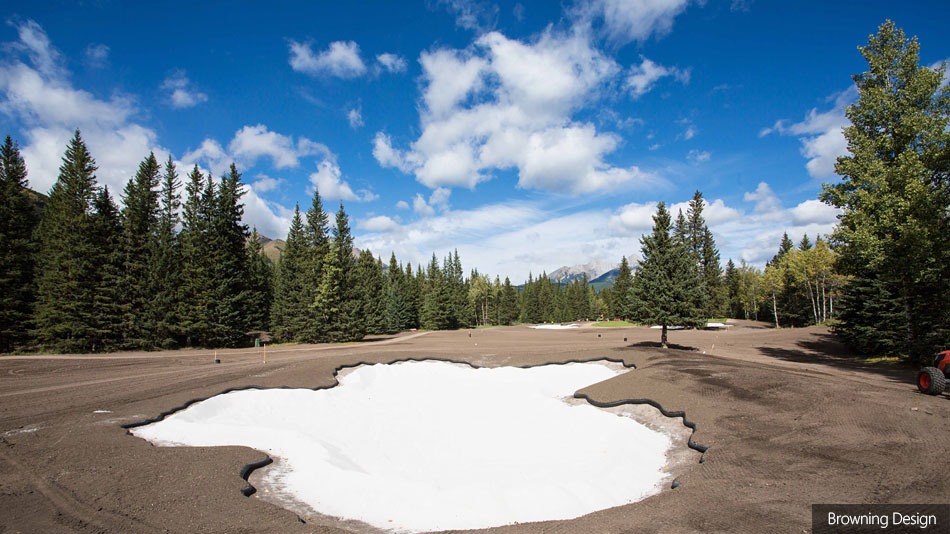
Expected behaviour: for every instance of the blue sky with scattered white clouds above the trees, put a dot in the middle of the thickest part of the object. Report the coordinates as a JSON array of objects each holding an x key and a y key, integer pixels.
[{"x": 526, "y": 135}]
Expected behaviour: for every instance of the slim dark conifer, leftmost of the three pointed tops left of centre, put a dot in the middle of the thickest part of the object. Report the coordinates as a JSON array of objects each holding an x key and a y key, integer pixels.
[{"x": 291, "y": 308}]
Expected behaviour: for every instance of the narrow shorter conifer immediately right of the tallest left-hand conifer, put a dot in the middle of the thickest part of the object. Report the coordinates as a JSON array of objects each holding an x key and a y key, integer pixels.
[{"x": 107, "y": 310}]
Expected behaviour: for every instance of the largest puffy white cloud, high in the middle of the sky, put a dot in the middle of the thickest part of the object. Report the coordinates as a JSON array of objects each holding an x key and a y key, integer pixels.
[{"x": 508, "y": 104}]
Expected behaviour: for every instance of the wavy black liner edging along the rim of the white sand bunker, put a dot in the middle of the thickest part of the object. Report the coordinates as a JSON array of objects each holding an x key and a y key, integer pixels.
[{"x": 246, "y": 471}]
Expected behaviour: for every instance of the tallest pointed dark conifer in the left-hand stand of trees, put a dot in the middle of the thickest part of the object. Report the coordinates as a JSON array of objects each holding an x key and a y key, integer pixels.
[{"x": 64, "y": 315}]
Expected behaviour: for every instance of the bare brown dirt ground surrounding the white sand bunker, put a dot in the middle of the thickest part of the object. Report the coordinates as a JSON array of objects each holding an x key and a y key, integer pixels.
[{"x": 790, "y": 420}]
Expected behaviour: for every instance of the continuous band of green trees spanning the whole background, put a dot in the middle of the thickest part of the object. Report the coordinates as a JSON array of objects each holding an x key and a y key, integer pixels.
[{"x": 77, "y": 273}]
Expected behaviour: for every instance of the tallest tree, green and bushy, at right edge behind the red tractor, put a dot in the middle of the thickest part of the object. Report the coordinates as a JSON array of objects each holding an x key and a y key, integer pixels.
[{"x": 893, "y": 237}]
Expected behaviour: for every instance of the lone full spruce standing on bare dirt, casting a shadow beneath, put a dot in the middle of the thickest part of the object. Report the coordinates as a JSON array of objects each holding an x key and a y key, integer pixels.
[{"x": 667, "y": 283}]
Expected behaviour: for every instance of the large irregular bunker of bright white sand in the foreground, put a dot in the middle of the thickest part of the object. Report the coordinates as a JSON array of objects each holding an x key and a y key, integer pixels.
[{"x": 422, "y": 446}]
